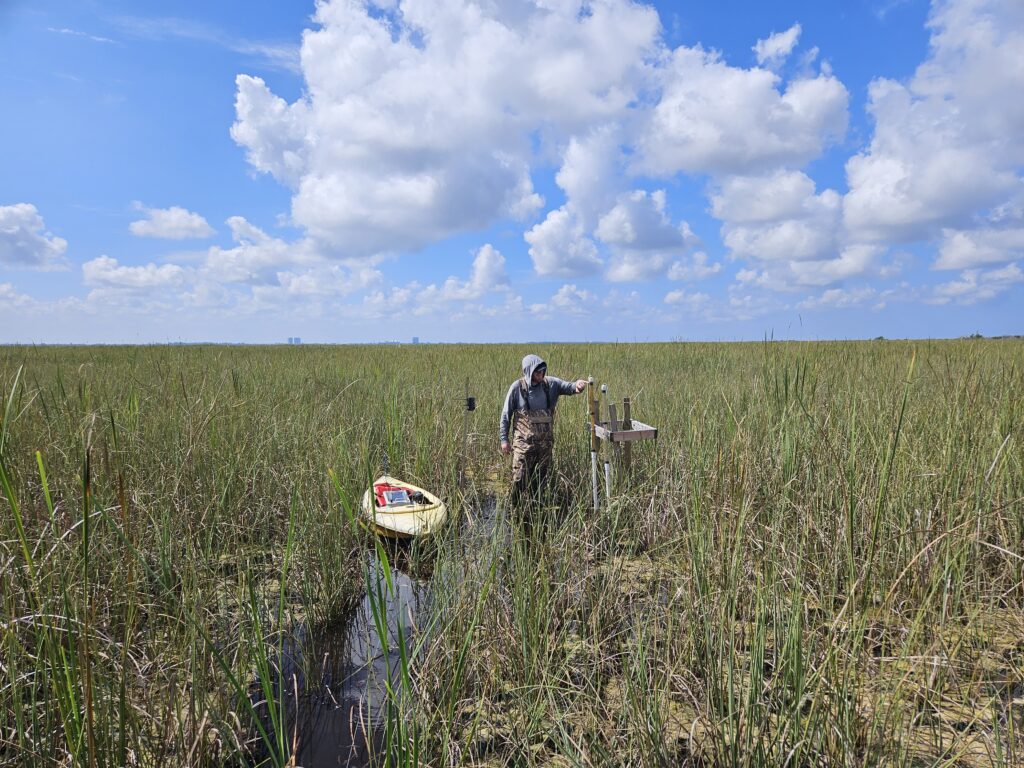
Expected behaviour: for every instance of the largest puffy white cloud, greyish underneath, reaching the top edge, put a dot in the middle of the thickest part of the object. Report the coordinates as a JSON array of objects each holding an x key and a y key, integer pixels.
[{"x": 419, "y": 119}]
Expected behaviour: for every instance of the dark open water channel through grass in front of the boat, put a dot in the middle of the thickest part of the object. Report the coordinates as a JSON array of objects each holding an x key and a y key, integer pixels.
[{"x": 342, "y": 673}]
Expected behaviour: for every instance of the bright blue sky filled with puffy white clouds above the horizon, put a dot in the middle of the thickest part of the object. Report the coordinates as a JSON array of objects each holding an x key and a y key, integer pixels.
[{"x": 510, "y": 170}]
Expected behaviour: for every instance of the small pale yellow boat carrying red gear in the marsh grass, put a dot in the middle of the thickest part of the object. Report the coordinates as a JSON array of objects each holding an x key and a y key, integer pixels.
[{"x": 401, "y": 510}]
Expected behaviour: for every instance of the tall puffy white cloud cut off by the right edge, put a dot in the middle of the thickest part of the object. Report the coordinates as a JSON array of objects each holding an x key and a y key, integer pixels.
[{"x": 949, "y": 145}]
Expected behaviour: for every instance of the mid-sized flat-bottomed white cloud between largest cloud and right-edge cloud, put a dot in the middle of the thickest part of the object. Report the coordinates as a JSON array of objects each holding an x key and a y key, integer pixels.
[{"x": 717, "y": 119}]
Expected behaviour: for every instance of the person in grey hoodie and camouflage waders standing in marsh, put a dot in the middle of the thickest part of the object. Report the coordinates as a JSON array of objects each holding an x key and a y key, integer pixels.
[{"x": 528, "y": 419}]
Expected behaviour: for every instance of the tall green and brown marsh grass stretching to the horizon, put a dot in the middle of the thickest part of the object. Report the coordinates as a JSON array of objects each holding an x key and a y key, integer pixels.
[{"x": 820, "y": 562}]
